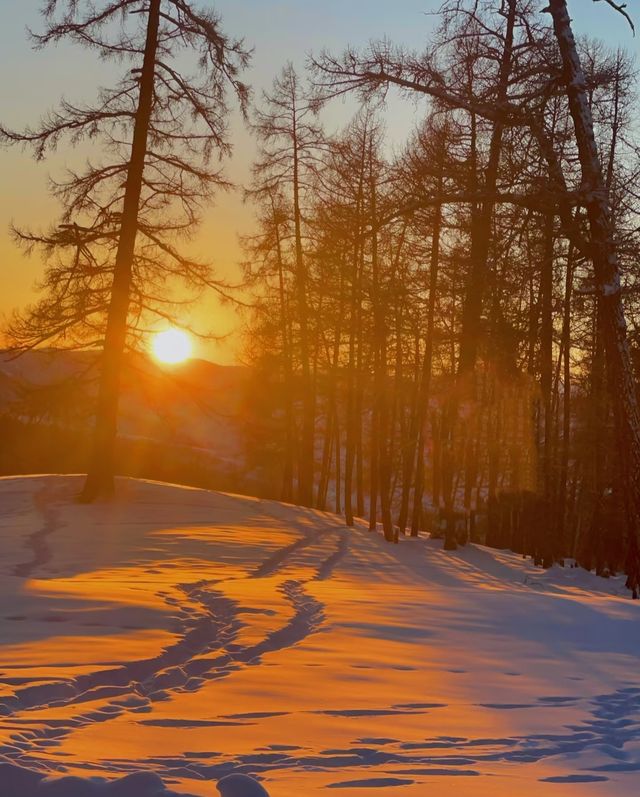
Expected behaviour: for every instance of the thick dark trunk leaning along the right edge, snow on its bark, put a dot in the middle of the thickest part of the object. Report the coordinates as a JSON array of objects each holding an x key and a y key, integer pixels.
[{"x": 608, "y": 282}]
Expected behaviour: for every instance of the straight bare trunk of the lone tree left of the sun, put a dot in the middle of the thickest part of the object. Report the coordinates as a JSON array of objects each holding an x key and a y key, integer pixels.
[{"x": 100, "y": 477}]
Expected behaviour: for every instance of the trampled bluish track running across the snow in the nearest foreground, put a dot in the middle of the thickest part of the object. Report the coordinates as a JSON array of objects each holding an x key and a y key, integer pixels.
[{"x": 610, "y": 723}]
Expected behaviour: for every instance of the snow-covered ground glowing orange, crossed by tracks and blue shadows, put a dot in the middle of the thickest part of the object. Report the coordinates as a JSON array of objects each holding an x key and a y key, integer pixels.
[{"x": 187, "y": 635}]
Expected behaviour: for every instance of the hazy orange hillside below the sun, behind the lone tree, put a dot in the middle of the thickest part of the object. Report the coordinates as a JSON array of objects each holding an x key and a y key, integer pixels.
[{"x": 194, "y": 409}]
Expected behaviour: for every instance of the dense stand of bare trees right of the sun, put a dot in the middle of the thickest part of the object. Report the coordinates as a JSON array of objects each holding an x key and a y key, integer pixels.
[{"x": 452, "y": 317}]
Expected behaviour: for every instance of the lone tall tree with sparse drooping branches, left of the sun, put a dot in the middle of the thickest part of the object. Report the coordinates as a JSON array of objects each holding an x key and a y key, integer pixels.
[{"x": 114, "y": 249}]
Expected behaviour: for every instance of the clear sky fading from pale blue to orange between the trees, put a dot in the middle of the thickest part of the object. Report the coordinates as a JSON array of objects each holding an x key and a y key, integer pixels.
[{"x": 278, "y": 32}]
